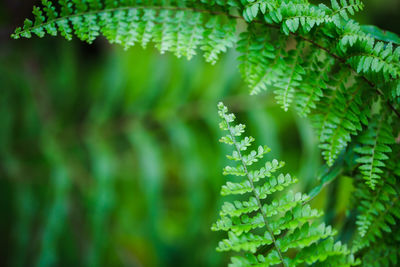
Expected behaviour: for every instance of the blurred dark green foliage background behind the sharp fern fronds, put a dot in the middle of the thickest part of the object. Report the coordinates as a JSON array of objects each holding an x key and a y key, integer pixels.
[{"x": 111, "y": 157}]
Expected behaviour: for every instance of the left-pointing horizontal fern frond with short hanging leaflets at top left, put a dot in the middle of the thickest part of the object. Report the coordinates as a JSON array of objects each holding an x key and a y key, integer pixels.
[{"x": 180, "y": 29}]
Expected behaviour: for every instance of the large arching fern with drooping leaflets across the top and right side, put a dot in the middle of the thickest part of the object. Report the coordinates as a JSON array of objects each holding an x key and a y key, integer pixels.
[{"x": 316, "y": 60}]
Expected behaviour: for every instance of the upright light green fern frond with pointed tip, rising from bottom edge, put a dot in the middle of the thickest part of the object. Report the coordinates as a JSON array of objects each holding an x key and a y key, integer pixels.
[{"x": 254, "y": 222}]
